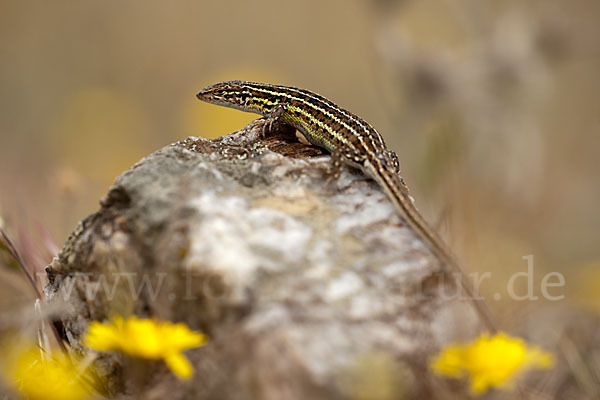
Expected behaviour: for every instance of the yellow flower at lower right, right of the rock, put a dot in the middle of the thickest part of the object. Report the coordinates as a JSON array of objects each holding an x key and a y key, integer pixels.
[{"x": 490, "y": 361}]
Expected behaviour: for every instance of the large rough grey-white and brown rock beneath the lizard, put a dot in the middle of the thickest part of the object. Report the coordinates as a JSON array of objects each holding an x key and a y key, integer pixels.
[{"x": 305, "y": 292}]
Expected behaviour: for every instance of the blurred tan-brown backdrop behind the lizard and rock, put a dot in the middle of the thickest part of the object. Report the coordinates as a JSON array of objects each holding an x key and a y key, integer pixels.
[{"x": 493, "y": 108}]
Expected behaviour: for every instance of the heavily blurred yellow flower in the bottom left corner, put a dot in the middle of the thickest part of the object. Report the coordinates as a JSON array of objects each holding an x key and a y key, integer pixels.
[{"x": 54, "y": 377}]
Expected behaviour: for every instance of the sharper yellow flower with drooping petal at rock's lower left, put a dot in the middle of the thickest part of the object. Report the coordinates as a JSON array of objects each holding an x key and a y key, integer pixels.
[{"x": 146, "y": 338}]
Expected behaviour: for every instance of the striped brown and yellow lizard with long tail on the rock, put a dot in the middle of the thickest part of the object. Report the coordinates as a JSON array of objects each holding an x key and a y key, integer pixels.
[{"x": 350, "y": 140}]
